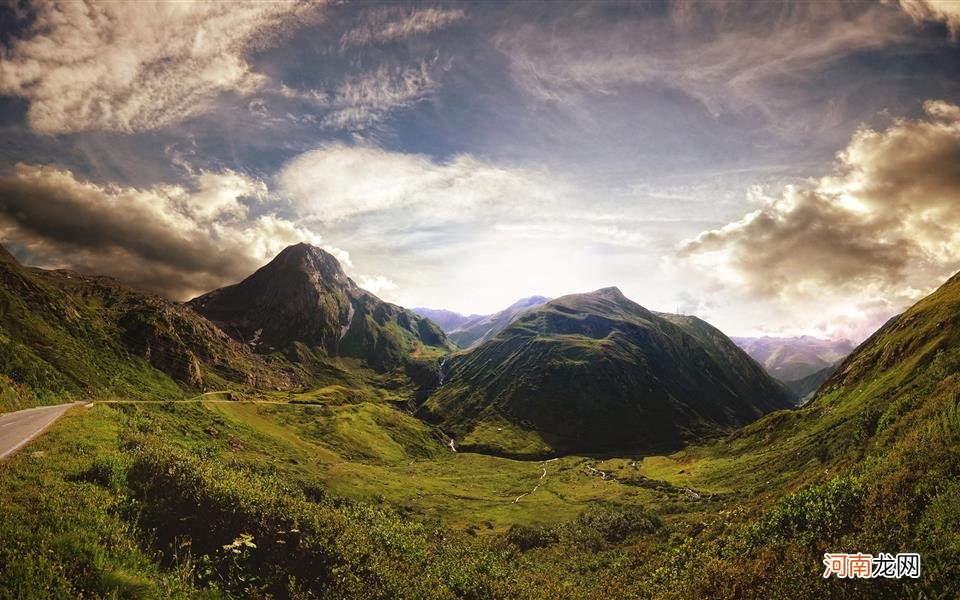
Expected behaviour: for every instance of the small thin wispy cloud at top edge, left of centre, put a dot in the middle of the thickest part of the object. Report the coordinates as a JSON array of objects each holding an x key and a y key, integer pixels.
[{"x": 389, "y": 24}]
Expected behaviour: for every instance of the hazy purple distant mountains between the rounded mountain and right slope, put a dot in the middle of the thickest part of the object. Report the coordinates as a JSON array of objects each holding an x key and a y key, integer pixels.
[{"x": 793, "y": 358}]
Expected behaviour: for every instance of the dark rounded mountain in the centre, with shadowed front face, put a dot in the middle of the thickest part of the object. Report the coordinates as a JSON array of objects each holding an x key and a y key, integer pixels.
[{"x": 596, "y": 372}]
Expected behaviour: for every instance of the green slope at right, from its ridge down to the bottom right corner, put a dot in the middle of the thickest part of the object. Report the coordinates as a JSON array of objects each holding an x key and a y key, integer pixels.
[{"x": 870, "y": 464}]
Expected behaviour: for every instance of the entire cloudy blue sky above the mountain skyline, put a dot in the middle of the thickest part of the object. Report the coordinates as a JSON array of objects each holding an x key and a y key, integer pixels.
[{"x": 776, "y": 168}]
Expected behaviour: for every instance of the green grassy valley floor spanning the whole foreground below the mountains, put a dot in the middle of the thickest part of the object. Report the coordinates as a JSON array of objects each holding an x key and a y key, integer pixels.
[{"x": 219, "y": 498}]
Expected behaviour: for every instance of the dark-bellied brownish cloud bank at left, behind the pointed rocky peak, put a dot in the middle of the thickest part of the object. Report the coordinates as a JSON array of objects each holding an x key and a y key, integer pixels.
[{"x": 169, "y": 239}]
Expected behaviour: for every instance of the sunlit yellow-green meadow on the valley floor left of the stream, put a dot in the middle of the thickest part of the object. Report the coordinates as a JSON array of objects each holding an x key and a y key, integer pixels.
[{"x": 371, "y": 452}]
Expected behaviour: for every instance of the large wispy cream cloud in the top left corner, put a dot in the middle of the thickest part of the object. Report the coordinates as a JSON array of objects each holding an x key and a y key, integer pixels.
[{"x": 126, "y": 67}]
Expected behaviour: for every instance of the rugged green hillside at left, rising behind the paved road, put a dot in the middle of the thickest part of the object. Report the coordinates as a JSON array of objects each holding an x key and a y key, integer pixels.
[{"x": 66, "y": 336}]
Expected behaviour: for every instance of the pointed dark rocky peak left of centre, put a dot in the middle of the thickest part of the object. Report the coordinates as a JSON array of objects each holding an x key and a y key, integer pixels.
[{"x": 303, "y": 300}]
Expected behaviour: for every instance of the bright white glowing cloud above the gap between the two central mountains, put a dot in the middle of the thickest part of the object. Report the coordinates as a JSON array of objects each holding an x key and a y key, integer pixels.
[{"x": 465, "y": 233}]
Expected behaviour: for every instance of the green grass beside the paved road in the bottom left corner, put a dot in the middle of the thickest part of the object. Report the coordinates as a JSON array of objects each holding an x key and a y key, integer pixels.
[{"x": 62, "y": 534}]
